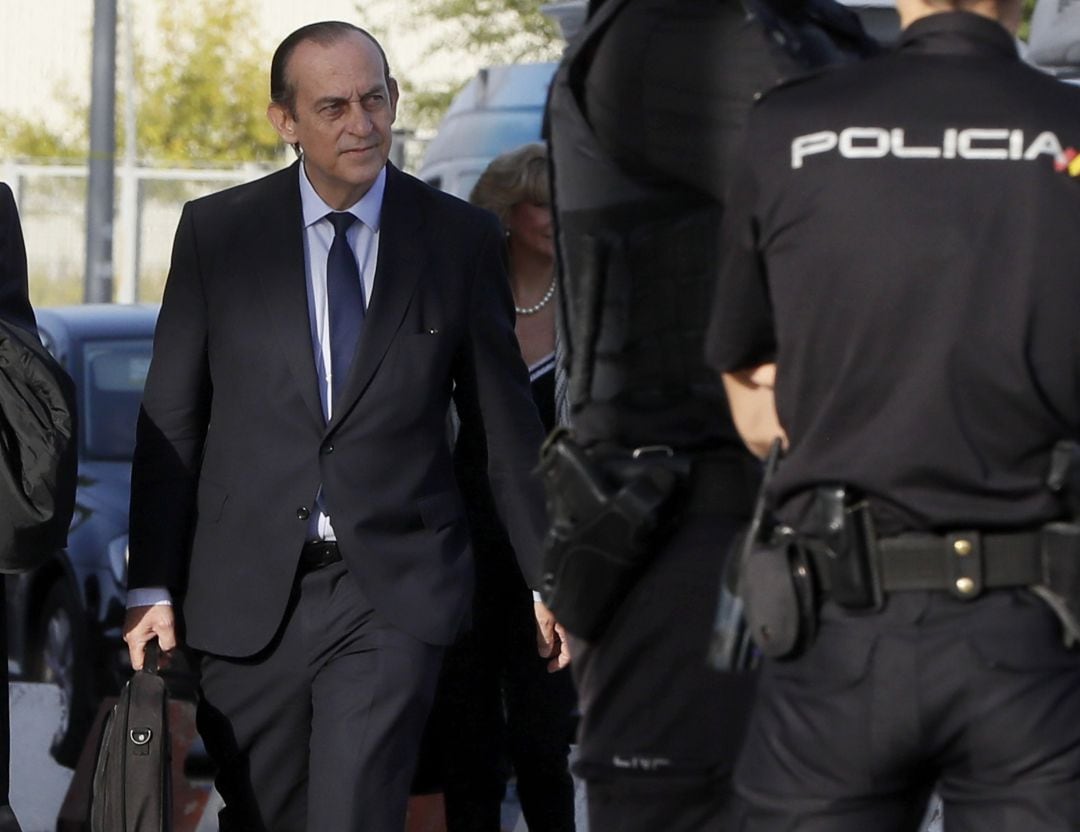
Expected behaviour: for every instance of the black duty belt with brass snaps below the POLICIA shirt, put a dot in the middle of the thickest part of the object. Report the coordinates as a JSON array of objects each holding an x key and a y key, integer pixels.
[{"x": 965, "y": 563}]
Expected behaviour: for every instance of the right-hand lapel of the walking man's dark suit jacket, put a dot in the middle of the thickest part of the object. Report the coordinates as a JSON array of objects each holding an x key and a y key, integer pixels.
[{"x": 397, "y": 273}]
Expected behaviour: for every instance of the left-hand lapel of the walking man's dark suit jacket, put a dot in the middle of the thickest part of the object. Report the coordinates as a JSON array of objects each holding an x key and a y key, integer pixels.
[{"x": 281, "y": 273}]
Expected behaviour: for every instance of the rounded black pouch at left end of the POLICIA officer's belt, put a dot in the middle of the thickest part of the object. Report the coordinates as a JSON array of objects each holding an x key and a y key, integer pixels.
[{"x": 777, "y": 586}]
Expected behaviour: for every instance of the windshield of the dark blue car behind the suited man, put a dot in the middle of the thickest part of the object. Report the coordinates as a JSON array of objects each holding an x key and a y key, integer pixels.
[{"x": 114, "y": 377}]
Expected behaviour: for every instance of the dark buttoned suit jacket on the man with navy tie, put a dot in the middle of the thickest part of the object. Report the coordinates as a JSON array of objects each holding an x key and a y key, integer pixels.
[{"x": 233, "y": 446}]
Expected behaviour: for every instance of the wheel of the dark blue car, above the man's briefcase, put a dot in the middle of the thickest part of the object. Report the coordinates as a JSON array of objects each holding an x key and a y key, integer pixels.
[{"x": 62, "y": 661}]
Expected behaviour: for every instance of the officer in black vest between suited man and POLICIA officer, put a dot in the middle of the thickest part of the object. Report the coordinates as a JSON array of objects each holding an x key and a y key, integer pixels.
[{"x": 654, "y": 482}]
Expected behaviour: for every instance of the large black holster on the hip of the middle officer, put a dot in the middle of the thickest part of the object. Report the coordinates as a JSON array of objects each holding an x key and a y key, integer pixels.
[{"x": 605, "y": 519}]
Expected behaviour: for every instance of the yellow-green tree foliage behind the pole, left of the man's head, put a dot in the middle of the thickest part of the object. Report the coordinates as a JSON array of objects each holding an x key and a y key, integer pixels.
[{"x": 200, "y": 100}]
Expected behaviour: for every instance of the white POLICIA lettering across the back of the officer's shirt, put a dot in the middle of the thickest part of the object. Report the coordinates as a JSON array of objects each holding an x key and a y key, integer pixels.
[{"x": 977, "y": 144}]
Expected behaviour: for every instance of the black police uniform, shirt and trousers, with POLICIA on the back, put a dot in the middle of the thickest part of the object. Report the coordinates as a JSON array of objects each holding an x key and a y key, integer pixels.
[{"x": 904, "y": 247}]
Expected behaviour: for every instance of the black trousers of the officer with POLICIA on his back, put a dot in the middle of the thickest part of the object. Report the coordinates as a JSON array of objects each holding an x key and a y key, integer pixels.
[{"x": 979, "y": 699}]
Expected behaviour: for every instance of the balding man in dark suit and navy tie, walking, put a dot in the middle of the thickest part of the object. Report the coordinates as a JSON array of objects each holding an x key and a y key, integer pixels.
[{"x": 294, "y": 487}]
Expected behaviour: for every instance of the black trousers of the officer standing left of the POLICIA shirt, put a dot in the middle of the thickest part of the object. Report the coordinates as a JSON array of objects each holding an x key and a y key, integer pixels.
[{"x": 660, "y": 730}]
